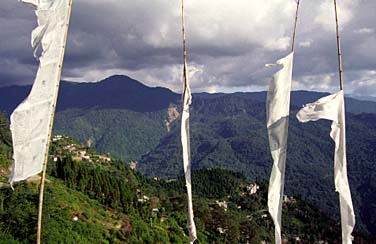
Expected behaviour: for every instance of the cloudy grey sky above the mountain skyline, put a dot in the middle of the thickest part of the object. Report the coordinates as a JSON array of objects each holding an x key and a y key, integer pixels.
[{"x": 228, "y": 42}]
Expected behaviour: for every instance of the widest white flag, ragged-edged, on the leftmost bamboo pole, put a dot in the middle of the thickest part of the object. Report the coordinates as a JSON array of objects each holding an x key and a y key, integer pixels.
[{"x": 31, "y": 120}]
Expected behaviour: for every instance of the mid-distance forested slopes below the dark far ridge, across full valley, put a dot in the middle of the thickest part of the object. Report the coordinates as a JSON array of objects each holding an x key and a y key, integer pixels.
[{"x": 229, "y": 132}]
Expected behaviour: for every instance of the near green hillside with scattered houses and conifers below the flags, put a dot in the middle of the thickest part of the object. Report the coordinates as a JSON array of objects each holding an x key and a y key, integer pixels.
[{"x": 93, "y": 198}]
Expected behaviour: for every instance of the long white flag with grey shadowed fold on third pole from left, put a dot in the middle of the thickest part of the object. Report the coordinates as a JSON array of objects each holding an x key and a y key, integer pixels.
[{"x": 277, "y": 114}]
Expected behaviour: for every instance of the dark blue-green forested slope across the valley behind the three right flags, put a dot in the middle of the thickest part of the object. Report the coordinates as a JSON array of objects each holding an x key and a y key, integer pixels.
[{"x": 230, "y": 132}]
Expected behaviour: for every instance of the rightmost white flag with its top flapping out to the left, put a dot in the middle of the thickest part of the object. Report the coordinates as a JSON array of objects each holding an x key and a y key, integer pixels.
[{"x": 332, "y": 108}]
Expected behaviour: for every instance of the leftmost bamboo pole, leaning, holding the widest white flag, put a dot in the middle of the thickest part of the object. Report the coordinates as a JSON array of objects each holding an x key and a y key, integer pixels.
[{"x": 43, "y": 179}]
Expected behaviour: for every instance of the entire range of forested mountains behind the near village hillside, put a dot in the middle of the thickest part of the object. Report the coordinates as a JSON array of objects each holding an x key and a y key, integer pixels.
[{"x": 227, "y": 131}]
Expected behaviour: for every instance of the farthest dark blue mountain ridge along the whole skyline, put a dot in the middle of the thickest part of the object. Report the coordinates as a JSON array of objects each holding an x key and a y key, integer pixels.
[{"x": 123, "y": 92}]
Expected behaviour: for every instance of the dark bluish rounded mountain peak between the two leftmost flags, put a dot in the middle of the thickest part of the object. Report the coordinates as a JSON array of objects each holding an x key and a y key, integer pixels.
[{"x": 115, "y": 92}]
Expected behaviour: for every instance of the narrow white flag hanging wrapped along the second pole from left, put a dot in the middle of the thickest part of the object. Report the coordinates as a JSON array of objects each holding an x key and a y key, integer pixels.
[{"x": 187, "y": 100}]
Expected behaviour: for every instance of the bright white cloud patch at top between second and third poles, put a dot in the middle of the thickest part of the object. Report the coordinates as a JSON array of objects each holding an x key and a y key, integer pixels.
[{"x": 245, "y": 22}]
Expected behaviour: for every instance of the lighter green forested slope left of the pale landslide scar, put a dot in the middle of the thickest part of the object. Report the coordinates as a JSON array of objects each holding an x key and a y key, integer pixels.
[{"x": 123, "y": 133}]
